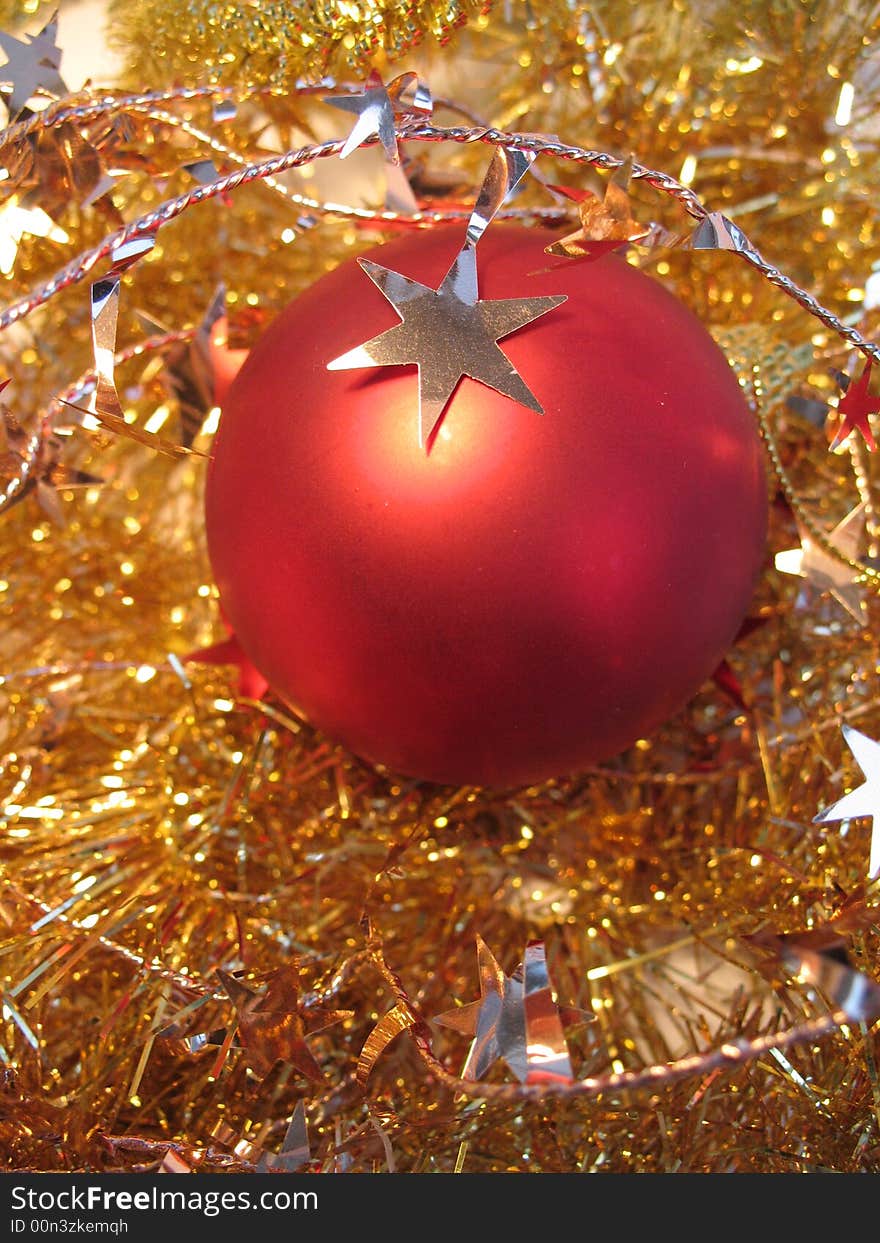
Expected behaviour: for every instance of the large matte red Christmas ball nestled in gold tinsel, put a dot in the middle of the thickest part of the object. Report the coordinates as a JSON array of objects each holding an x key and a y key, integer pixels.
[{"x": 536, "y": 592}]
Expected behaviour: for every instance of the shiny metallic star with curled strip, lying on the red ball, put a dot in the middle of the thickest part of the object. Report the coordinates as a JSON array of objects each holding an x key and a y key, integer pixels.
[{"x": 449, "y": 333}]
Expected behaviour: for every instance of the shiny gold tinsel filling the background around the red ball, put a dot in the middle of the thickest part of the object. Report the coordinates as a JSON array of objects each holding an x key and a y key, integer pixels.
[{"x": 156, "y": 827}]
